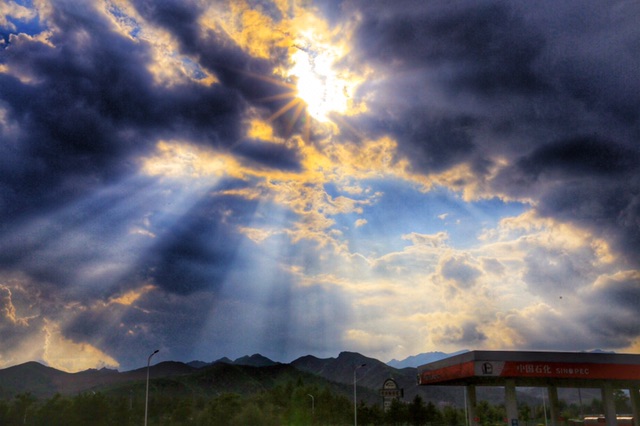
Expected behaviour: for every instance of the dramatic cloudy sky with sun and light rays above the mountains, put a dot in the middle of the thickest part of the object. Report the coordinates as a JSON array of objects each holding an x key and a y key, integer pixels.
[{"x": 291, "y": 177}]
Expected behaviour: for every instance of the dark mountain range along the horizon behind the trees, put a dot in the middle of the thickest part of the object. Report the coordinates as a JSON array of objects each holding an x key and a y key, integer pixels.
[{"x": 246, "y": 375}]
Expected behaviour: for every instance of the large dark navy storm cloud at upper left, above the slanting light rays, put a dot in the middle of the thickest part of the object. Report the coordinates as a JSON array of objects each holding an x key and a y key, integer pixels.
[{"x": 91, "y": 107}]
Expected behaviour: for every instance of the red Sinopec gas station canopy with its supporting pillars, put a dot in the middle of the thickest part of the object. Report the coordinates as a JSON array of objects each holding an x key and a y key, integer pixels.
[{"x": 510, "y": 369}]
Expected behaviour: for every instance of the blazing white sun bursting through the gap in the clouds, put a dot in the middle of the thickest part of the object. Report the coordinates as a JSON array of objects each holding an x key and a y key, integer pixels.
[{"x": 319, "y": 85}]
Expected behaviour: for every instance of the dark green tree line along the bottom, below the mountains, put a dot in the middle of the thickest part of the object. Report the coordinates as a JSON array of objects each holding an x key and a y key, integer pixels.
[{"x": 289, "y": 404}]
